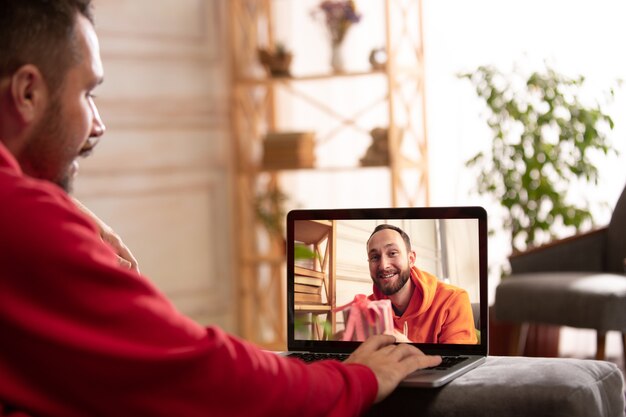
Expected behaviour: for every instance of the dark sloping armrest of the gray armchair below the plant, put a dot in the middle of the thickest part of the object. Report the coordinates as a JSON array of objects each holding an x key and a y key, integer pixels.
[{"x": 582, "y": 252}]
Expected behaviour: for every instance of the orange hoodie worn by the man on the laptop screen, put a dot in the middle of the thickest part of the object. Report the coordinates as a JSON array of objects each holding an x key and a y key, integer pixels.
[{"x": 437, "y": 312}]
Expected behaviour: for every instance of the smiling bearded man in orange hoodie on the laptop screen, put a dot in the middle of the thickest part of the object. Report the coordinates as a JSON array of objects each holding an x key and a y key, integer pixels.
[{"x": 425, "y": 309}]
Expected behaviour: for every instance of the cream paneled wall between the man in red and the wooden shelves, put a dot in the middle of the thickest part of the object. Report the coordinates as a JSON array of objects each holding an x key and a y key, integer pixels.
[{"x": 160, "y": 175}]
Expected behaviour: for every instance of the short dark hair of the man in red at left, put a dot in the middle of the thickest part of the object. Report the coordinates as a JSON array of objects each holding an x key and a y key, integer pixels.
[{"x": 41, "y": 33}]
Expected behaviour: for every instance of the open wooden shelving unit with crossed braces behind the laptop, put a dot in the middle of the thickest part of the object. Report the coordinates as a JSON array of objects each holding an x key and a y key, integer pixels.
[{"x": 260, "y": 267}]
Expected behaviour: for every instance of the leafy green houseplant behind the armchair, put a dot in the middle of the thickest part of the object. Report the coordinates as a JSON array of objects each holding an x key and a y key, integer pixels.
[{"x": 544, "y": 140}]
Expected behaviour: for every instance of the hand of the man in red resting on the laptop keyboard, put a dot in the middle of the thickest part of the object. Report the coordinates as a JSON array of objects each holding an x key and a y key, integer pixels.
[{"x": 389, "y": 362}]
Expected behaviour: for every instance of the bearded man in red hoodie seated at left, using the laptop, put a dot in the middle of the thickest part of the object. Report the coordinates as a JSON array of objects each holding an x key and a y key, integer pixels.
[{"x": 84, "y": 335}]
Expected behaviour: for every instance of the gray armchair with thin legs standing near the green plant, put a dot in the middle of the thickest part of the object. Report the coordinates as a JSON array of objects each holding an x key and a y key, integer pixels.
[{"x": 578, "y": 282}]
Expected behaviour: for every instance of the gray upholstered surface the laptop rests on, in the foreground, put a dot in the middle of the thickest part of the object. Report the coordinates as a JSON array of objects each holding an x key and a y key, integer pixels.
[{"x": 518, "y": 387}]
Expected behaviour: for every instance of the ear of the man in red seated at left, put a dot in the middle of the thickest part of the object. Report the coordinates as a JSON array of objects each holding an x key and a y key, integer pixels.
[{"x": 29, "y": 92}]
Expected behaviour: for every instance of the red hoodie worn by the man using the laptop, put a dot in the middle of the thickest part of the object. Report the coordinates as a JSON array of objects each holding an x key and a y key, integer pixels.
[{"x": 80, "y": 336}]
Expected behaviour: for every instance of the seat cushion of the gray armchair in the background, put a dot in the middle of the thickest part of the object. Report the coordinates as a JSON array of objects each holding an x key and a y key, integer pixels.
[{"x": 583, "y": 300}]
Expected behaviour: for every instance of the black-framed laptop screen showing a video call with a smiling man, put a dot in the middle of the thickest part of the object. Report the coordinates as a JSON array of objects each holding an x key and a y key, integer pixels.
[{"x": 418, "y": 273}]
